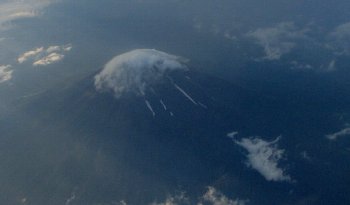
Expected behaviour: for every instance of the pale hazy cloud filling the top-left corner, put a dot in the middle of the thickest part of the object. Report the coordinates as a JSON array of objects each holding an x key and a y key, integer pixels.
[{"x": 11, "y": 10}]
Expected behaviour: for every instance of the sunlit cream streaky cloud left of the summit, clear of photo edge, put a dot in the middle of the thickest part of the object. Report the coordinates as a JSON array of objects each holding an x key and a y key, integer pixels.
[{"x": 41, "y": 56}]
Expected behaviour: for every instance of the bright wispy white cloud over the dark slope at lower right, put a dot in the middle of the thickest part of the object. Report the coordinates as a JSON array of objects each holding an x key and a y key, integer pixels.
[{"x": 264, "y": 156}]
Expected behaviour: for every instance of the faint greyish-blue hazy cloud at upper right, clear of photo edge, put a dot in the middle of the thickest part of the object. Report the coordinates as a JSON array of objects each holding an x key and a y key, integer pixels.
[{"x": 278, "y": 40}]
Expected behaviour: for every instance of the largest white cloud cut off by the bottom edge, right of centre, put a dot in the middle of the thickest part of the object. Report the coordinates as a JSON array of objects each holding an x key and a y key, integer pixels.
[{"x": 215, "y": 197}]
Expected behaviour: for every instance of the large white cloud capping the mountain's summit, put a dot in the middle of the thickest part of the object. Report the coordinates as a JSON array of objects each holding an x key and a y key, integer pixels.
[{"x": 137, "y": 70}]
